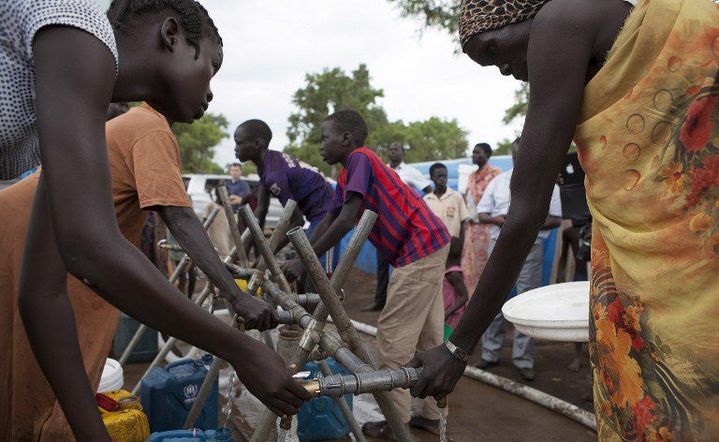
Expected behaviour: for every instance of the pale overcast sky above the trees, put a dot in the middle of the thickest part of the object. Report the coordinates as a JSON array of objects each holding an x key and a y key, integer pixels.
[{"x": 269, "y": 46}]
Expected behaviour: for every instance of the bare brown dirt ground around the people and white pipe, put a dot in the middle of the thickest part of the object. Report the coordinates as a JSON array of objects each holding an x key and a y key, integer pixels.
[{"x": 481, "y": 412}]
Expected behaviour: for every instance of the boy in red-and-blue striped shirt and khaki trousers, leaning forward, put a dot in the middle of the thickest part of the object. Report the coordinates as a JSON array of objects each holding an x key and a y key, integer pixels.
[{"x": 411, "y": 237}]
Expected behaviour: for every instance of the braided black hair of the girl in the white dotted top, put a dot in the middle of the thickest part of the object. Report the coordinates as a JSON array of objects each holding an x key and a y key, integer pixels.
[{"x": 193, "y": 17}]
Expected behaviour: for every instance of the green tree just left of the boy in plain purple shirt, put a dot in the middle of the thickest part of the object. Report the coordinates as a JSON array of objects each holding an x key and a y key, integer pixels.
[{"x": 198, "y": 140}]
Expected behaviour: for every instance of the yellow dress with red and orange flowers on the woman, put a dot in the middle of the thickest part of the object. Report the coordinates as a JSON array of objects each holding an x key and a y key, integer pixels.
[{"x": 648, "y": 140}]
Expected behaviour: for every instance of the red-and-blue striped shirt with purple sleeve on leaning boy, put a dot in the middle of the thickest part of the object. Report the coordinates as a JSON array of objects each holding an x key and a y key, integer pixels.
[{"x": 406, "y": 229}]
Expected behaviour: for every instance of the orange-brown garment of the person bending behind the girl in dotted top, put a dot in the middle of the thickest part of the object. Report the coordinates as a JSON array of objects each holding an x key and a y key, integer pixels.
[{"x": 146, "y": 171}]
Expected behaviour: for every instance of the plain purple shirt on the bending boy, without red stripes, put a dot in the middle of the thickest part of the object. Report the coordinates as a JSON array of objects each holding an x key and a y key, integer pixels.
[{"x": 287, "y": 178}]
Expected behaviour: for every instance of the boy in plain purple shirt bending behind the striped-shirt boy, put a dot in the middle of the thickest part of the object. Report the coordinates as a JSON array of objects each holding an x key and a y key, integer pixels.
[{"x": 283, "y": 176}]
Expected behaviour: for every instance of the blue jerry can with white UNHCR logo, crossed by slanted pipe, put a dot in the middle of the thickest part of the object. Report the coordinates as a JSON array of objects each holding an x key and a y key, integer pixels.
[{"x": 167, "y": 395}]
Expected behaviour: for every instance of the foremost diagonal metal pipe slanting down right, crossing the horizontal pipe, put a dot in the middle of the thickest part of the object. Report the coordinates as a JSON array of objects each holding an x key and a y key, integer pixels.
[{"x": 348, "y": 333}]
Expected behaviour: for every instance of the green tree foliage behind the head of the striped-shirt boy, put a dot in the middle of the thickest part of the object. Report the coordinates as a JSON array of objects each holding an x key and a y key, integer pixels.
[{"x": 333, "y": 90}]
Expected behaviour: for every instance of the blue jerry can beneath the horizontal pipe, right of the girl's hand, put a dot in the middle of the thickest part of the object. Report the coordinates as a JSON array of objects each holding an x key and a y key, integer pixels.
[{"x": 321, "y": 418}]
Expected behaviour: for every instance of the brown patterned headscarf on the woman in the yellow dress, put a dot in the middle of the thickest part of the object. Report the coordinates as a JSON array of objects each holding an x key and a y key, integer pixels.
[{"x": 483, "y": 15}]
